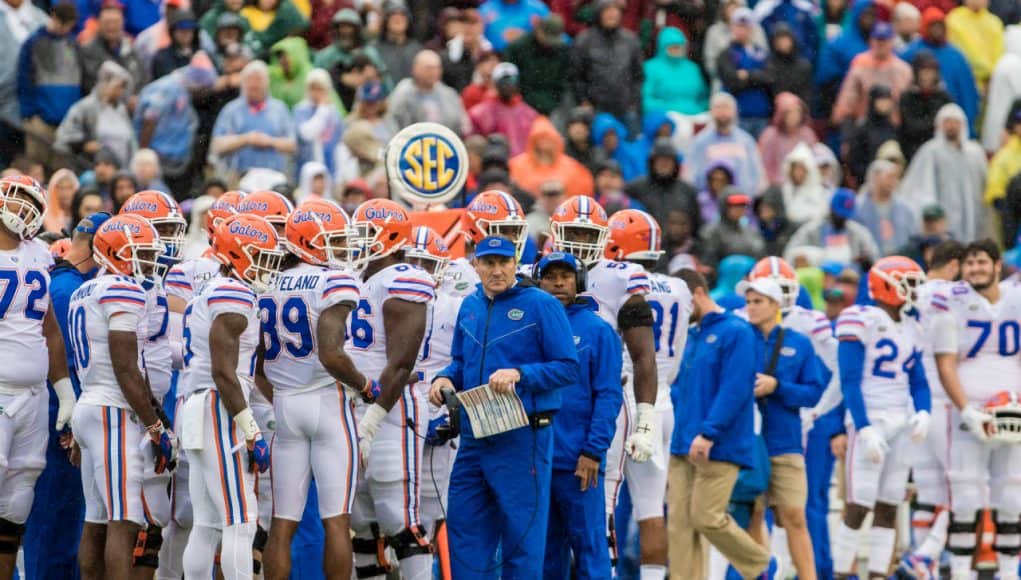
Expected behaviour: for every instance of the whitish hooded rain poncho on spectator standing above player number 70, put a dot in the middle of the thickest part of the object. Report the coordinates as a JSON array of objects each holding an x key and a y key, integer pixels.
[{"x": 951, "y": 175}]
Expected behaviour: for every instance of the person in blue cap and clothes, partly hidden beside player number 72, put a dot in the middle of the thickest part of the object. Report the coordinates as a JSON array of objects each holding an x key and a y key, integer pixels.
[{"x": 55, "y": 525}]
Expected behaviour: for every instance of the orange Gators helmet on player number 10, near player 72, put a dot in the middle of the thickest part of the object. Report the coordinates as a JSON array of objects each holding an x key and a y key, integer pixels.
[{"x": 129, "y": 246}]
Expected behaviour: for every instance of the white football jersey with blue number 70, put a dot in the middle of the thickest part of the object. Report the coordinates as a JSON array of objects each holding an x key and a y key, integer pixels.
[{"x": 987, "y": 339}]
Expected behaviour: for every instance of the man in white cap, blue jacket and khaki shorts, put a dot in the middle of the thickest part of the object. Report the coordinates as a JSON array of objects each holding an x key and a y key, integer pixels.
[{"x": 790, "y": 378}]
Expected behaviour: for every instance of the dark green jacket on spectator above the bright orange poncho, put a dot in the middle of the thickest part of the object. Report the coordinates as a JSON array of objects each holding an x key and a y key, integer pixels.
[{"x": 544, "y": 72}]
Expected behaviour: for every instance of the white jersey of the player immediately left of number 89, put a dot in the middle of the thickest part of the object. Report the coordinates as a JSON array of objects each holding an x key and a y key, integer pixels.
[{"x": 220, "y": 296}]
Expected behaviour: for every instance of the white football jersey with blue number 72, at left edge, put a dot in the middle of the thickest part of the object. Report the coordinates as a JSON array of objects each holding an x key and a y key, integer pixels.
[{"x": 25, "y": 283}]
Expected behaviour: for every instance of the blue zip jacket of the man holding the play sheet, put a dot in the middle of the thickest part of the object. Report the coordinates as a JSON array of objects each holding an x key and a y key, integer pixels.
[{"x": 524, "y": 329}]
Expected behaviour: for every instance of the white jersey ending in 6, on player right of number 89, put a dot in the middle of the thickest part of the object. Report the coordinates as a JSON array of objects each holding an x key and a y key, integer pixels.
[{"x": 367, "y": 334}]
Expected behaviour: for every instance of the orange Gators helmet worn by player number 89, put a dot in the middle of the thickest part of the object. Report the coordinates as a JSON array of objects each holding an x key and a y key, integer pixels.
[{"x": 318, "y": 232}]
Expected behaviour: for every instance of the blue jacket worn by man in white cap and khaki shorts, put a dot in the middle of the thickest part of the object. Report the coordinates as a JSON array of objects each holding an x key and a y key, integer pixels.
[{"x": 800, "y": 384}]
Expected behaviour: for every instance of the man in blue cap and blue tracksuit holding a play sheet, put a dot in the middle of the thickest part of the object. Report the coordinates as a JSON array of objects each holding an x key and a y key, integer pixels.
[{"x": 517, "y": 340}]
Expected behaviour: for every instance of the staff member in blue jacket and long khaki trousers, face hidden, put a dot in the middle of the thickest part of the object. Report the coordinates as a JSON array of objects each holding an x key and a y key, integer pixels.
[{"x": 713, "y": 440}]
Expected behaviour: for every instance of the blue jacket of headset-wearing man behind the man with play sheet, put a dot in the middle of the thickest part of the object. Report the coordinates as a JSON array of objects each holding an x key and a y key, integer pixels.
[{"x": 589, "y": 413}]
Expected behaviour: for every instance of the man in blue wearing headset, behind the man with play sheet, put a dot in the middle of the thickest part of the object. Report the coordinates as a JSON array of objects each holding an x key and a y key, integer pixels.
[{"x": 584, "y": 430}]
